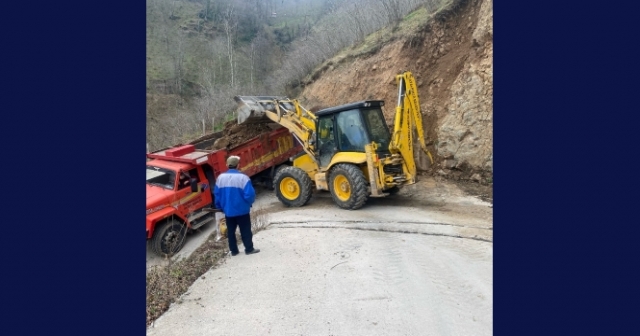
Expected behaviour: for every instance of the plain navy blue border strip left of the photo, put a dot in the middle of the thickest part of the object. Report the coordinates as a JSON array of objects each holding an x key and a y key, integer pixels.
[{"x": 73, "y": 135}]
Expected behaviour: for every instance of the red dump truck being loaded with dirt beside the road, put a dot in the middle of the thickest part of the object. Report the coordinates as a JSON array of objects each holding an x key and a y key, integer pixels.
[{"x": 180, "y": 181}]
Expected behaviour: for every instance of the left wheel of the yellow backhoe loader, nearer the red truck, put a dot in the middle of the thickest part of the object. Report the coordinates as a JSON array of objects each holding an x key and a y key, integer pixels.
[{"x": 293, "y": 186}]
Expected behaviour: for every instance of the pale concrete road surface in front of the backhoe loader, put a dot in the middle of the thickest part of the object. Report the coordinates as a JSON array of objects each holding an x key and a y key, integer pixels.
[{"x": 413, "y": 265}]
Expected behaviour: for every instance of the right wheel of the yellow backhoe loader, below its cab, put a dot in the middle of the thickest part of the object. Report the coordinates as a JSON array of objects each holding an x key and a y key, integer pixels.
[{"x": 348, "y": 186}]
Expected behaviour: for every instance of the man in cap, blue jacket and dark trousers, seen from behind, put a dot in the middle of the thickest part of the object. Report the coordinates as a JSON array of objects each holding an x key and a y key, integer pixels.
[{"x": 234, "y": 195}]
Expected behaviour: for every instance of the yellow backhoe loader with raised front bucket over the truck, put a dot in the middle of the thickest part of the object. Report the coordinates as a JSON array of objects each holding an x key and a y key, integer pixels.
[{"x": 348, "y": 149}]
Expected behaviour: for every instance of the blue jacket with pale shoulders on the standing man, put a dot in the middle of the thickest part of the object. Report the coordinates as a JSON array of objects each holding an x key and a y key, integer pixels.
[{"x": 234, "y": 193}]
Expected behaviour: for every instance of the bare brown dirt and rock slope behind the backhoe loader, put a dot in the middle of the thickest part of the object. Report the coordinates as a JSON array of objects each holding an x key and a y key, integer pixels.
[{"x": 451, "y": 57}]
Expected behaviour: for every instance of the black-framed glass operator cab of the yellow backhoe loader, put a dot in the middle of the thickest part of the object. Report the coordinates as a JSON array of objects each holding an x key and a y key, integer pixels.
[{"x": 349, "y": 127}]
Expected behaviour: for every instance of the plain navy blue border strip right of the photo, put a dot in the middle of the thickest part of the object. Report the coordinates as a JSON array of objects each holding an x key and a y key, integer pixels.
[{"x": 566, "y": 119}]
